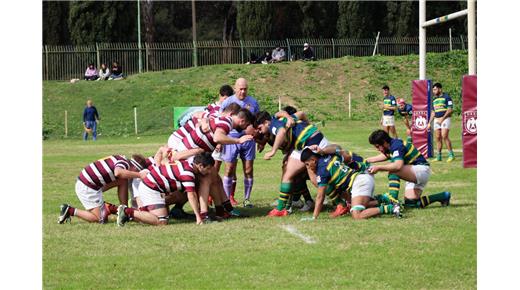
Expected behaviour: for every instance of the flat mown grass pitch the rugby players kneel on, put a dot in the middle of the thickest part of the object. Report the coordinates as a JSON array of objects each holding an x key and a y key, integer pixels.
[{"x": 433, "y": 248}]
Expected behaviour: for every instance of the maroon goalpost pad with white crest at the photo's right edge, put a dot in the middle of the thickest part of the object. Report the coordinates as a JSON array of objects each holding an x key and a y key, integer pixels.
[{"x": 469, "y": 120}]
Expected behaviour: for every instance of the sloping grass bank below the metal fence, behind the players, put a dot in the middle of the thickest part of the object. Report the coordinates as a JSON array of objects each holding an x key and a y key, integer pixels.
[{"x": 320, "y": 88}]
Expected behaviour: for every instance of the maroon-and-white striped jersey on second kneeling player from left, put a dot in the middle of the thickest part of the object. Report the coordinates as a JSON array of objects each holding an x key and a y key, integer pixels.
[{"x": 172, "y": 177}]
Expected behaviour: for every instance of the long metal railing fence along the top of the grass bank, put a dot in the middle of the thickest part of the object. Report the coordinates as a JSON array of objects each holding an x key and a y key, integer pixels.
[{"x": 67, "y": 61}]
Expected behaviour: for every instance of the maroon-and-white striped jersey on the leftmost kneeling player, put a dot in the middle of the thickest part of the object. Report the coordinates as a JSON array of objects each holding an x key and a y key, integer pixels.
[{"x": 101, "y": 172}]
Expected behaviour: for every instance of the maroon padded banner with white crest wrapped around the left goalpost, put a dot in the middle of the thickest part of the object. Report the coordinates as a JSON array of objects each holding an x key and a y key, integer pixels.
[{"x": 421, "y": 104}]
